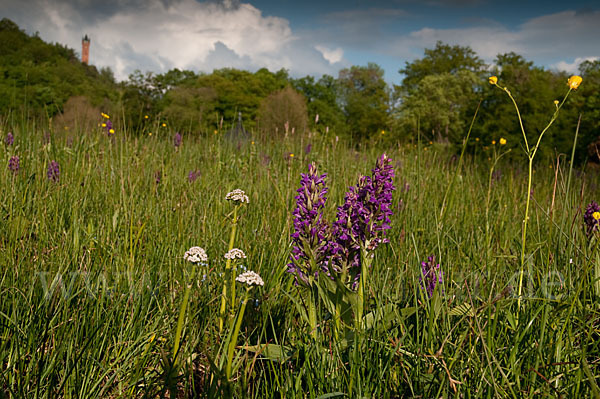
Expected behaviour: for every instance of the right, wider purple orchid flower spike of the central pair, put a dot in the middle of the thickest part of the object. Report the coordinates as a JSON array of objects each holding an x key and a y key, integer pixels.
[{"x": 364, "y": 218}]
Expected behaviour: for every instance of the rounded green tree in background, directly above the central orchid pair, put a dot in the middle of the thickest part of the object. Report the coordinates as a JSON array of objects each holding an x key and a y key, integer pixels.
[{"x": 365, "y": 98}]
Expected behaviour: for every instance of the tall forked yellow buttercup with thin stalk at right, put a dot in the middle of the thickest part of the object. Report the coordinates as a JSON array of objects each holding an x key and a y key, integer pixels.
[{"x": 573, "y": 83}]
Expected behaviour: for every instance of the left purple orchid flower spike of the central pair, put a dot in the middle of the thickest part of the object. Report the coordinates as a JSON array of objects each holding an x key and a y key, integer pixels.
[{"x": 310, "y": 230}]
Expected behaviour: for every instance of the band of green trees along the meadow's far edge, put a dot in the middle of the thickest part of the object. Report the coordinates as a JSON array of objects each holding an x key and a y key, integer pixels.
[{"x": 436, "y": 100}]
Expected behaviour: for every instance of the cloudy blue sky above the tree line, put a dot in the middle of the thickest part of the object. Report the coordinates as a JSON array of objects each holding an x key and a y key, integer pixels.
[{"x": 310, "y": 37}]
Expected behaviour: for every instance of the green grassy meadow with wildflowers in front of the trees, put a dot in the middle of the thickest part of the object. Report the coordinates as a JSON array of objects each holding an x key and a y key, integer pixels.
[{"x": 97, "y": 300}]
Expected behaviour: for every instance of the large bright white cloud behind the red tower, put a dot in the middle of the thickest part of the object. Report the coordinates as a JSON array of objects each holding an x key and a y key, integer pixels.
[{"x": 160, "y": 34}]
